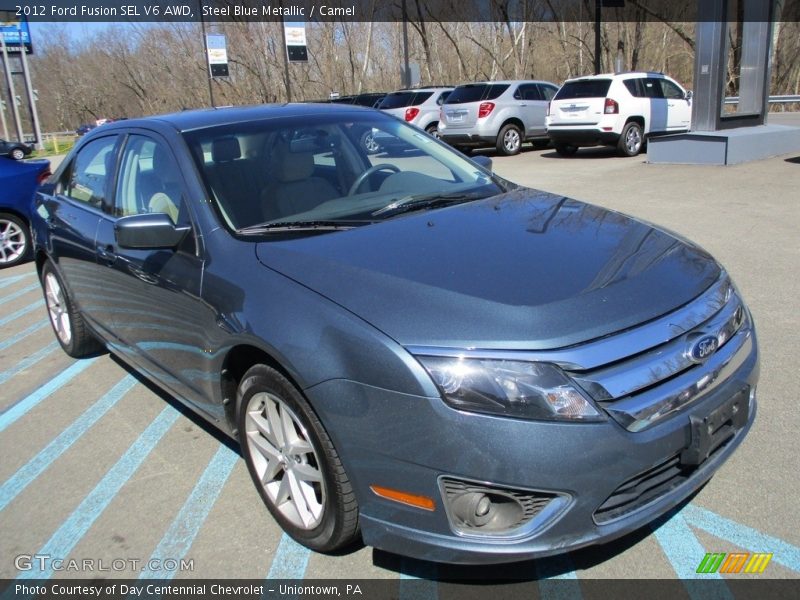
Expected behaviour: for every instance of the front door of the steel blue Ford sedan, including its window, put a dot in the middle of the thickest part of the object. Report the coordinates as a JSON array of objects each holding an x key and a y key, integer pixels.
[{"x": 159, "y": 319}]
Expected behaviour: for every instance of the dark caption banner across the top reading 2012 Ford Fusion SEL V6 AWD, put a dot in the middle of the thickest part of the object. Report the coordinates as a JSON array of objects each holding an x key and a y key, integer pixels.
[{"x": 386, "y": 10}]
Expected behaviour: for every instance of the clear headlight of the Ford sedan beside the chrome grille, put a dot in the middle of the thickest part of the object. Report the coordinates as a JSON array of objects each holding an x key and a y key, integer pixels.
[{"x": 524, "y": 390}]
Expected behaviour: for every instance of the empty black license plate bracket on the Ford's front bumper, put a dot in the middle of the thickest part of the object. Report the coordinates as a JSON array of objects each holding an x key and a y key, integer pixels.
[{"x": 709, "y": 431}]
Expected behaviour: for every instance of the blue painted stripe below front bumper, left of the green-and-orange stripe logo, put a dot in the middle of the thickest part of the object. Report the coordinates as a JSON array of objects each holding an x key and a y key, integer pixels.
[{"x": 684, "y": 552}]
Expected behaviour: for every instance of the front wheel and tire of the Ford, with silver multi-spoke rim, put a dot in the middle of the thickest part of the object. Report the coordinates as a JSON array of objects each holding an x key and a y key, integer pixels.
[{"x": 293, "y": 462}]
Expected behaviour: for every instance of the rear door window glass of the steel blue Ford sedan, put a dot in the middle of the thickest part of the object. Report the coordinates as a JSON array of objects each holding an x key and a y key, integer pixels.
[{"x": 89, "y": 177}]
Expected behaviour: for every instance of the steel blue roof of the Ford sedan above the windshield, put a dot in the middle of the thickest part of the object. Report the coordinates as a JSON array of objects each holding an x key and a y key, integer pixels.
[{"x": 188, "y": 120}]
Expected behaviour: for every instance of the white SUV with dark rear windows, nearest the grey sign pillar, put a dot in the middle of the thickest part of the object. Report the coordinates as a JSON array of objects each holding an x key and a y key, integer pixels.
[{"x": 616, "y": 110}]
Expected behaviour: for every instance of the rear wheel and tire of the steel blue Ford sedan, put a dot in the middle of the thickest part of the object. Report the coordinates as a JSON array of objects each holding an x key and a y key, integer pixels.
[{"x": 68, "y": 323}]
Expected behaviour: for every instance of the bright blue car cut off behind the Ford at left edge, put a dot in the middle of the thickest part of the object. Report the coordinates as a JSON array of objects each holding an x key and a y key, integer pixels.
[{"x": 18, "y": 181}]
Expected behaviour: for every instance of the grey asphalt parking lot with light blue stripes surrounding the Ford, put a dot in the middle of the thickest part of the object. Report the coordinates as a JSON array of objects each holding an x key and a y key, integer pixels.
[{"x": 96, "y": 465}]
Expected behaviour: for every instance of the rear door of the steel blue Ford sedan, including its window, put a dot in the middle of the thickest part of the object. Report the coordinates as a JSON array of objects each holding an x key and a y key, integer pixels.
[{"x": 72, "y": 216}]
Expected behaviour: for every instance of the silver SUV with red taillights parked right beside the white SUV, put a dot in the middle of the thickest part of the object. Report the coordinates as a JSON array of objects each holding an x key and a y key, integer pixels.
[{"x": 503, "y": 114}]
